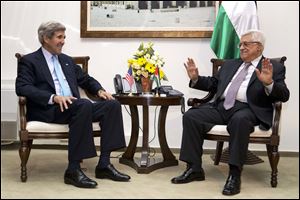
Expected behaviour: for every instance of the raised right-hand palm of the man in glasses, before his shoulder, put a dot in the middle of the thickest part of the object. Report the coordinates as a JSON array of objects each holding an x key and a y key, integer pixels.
[{"x": 266, "y": 73}]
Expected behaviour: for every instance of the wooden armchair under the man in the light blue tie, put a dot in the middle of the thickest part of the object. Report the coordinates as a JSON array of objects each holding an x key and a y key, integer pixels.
[{"x": 30, "y": 130}]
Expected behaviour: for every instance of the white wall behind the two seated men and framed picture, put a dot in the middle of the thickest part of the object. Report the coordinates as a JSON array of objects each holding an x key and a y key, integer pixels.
[{"x": 279, "y": 21}]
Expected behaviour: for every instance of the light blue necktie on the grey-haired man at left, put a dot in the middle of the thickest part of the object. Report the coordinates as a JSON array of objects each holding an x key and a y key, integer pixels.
[{"x": 65, "y": 89}]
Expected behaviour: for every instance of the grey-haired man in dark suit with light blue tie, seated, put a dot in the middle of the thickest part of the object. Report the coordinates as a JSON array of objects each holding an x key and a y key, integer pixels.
[{"x": 50, "y": 80}]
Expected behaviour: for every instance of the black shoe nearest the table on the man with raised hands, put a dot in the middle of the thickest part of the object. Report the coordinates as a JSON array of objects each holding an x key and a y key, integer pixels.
[{"x": 188, "y": 176}]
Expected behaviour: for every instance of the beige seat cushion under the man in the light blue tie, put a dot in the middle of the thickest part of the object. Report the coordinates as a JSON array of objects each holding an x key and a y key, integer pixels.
[{"x": 37, "y": 126}]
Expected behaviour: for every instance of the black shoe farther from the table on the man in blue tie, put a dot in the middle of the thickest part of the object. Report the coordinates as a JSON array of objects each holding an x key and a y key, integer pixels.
[{"x": 79, "y": 179}]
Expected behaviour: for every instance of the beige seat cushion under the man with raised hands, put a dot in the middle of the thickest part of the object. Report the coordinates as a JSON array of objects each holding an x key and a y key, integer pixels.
[{"x": 221, "y": 130}]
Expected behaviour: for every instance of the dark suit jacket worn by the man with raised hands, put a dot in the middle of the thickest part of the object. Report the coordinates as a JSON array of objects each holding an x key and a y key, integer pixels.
[{"x": 259, "y": 102}]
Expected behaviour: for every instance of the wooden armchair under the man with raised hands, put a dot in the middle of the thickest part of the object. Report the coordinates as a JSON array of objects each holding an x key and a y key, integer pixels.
[{"x": 270, "y": 138}]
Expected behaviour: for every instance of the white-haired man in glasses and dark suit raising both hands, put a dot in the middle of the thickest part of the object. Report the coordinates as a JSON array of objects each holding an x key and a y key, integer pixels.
[{"x": 261, "y": 82}]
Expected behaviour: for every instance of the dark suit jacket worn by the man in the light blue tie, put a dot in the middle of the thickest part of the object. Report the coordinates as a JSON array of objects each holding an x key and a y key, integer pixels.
[{"x": 35, "y": 82}]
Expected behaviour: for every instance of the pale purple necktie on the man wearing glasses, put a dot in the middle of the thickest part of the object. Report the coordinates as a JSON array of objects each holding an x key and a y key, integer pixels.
[{"x": 234, "y": 87}]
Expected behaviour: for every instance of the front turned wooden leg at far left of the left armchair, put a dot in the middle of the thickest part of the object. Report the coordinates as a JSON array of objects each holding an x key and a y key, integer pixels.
[{"x": 24, "y": 152}]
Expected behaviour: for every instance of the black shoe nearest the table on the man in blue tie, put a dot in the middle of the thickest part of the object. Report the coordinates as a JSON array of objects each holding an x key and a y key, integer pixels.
[{"x": 110, "y": 172}]
